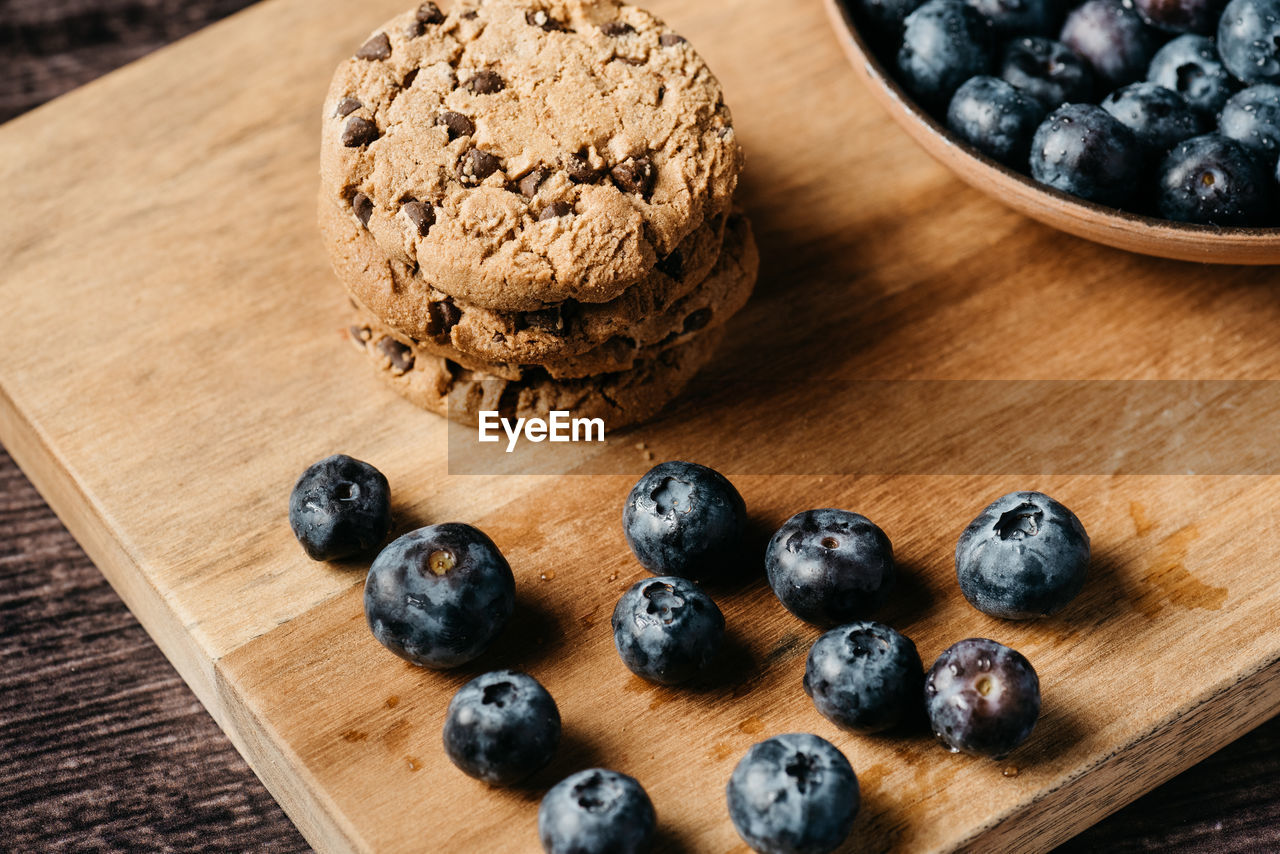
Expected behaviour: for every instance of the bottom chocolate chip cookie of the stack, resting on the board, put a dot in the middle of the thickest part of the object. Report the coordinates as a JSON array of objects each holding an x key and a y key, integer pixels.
[{"x": 447, "y": 389}]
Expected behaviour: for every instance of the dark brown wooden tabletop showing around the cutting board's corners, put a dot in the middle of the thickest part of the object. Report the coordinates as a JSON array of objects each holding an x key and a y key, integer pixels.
[{"x": 103, "y": 748}]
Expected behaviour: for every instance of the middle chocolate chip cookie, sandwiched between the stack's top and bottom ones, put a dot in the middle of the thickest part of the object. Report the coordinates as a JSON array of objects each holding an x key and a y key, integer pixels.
[{"x": 569, "y": 340}]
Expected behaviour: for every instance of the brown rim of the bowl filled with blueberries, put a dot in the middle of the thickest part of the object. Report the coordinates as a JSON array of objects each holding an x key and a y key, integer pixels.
[{"x": 909, "y": 113}]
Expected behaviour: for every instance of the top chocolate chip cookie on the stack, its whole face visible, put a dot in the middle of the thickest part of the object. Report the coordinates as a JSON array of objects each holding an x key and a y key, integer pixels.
[{"x": 524, "y": 153}]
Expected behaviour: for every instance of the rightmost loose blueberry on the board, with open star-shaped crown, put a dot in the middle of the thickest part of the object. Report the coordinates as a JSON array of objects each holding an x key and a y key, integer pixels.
[{"x": 1025, "y": 556}]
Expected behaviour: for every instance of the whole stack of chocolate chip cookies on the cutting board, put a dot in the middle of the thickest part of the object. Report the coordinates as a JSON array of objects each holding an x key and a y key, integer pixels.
[{"x": 531, "y": 205}]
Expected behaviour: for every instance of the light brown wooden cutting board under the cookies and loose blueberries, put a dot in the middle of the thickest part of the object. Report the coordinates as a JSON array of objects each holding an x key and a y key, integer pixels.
[{"x": 172, "y": 358}]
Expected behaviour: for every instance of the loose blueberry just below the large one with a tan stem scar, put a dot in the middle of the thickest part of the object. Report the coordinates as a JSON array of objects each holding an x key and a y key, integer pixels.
[{"x": 501, "y": 728}]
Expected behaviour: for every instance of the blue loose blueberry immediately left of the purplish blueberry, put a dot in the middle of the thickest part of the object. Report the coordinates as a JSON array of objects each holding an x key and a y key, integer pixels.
[{"x": 865, "y": 677}]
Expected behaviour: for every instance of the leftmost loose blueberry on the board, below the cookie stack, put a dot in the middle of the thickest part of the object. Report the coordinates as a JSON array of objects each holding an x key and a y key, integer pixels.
[{"x": 341, "y": 508}]
